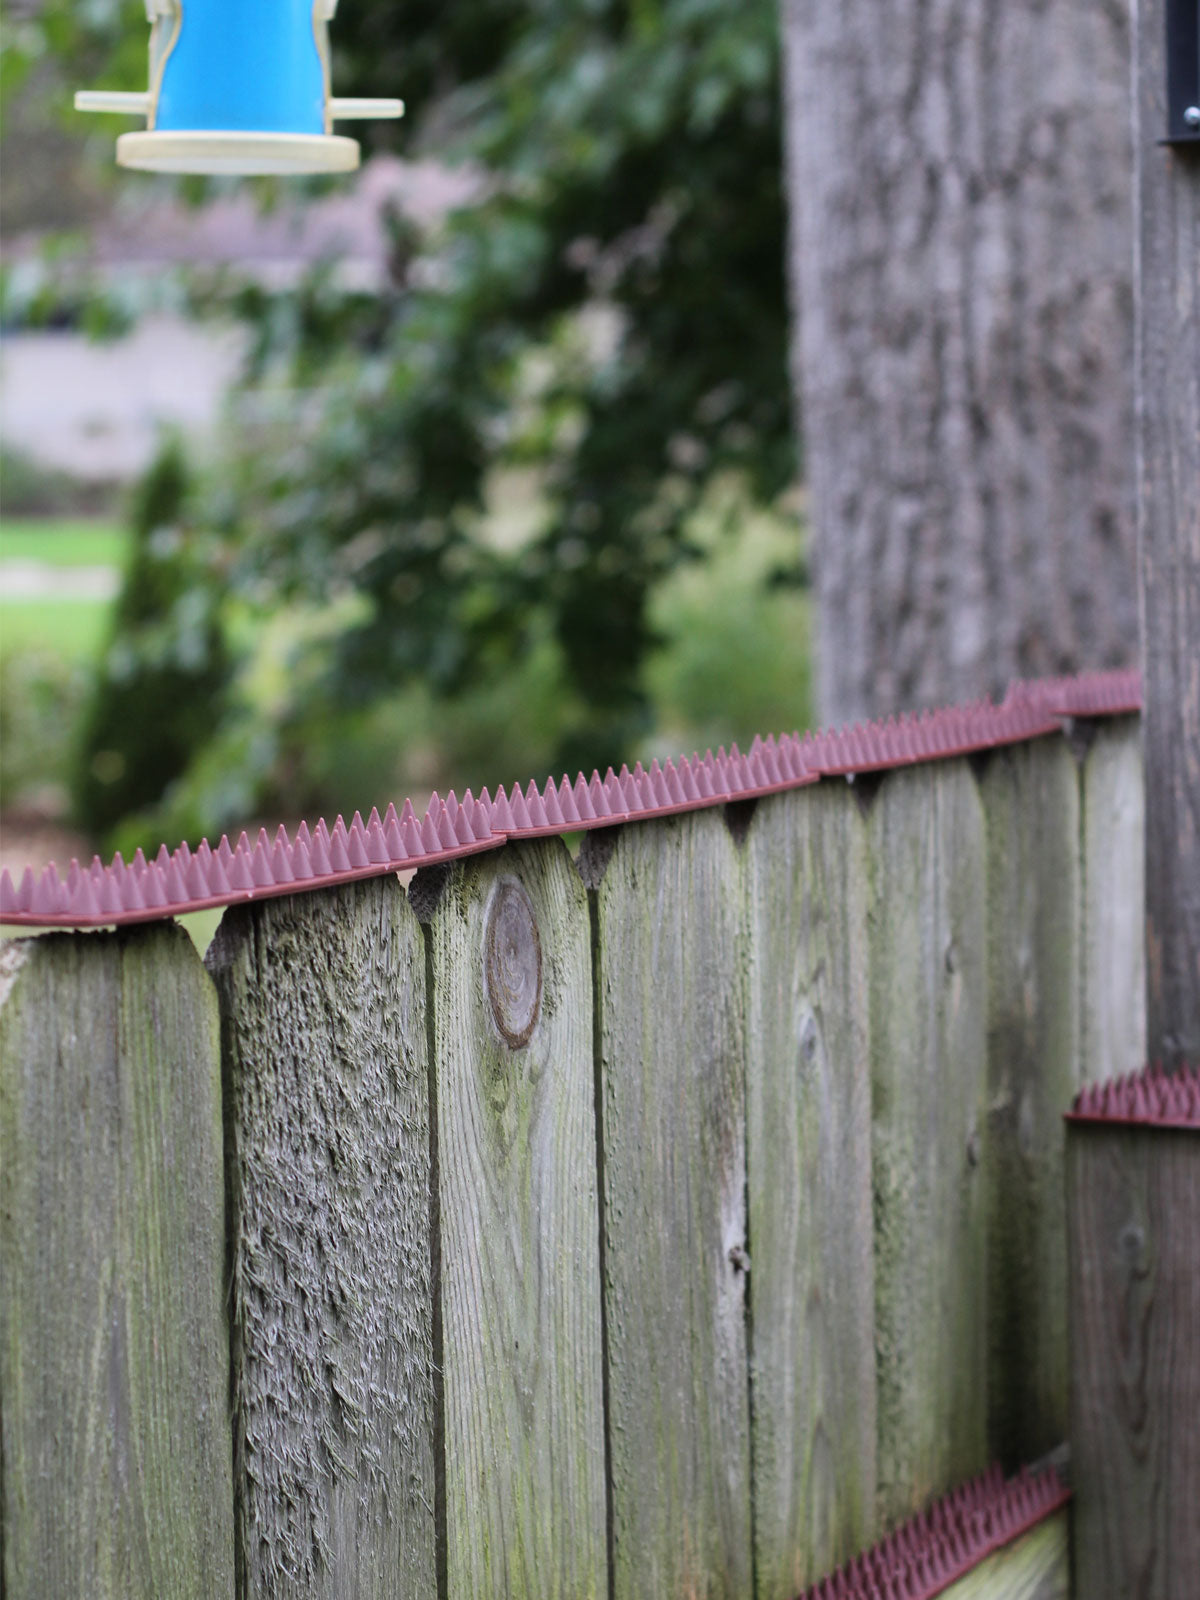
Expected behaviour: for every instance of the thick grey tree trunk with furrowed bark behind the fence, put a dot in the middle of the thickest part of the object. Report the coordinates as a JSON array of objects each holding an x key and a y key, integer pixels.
[{"x": 961, "y": 188}]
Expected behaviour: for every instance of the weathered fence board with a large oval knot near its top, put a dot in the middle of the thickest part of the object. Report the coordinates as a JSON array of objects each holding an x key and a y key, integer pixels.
[{"x": 521, "y": 1230}]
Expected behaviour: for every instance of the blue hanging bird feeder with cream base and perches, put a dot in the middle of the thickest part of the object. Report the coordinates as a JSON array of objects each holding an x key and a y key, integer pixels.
[{"x": 239, "y": 87}]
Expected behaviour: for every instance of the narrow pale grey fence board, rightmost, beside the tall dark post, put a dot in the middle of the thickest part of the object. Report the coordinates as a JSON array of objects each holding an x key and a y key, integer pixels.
[{"x": 1113, "y": 1023}]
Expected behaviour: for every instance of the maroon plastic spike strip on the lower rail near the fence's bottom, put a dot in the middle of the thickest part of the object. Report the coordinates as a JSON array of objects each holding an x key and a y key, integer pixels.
[{"x": 937, "y": 1548}]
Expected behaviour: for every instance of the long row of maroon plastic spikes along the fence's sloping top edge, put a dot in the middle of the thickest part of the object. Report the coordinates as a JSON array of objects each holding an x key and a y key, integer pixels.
[{"x": 185, "y": 881}]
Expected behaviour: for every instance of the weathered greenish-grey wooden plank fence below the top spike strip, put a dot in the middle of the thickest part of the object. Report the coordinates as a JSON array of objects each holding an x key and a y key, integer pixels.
[{"x": 663, "y": 1223}]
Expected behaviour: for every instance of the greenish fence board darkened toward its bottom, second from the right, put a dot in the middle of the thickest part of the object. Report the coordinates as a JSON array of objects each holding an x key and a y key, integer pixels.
[{"x": 1031, "y": 798}]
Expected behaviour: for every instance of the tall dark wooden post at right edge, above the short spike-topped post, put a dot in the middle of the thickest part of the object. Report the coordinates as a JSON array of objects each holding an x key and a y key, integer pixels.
[{"x": 1167, "y": 302}]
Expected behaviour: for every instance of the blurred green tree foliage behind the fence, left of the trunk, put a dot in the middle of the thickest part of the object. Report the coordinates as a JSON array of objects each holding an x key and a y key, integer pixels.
[{"x": 607, "y": 319}]
